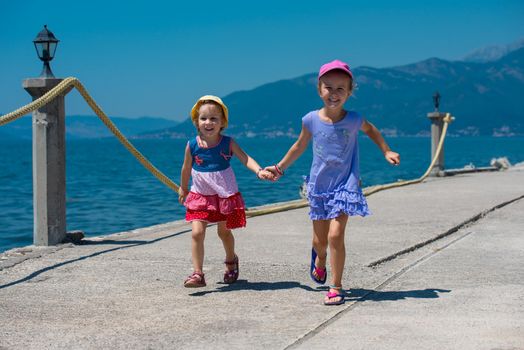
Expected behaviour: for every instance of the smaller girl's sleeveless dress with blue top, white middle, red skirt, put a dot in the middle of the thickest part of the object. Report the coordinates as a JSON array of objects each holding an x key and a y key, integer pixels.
[{"x": 214, "y": 195}]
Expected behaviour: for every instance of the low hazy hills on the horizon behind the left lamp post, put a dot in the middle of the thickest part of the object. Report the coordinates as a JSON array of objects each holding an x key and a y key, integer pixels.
[{"x": 81, "y": 127}]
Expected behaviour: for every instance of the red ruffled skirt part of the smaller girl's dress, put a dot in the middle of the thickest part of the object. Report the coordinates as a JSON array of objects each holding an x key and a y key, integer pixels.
[{"x": 216, "y": 209}]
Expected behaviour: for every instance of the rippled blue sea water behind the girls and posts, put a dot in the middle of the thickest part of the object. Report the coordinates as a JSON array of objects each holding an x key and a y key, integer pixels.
[{"x": 108, "y": 191}]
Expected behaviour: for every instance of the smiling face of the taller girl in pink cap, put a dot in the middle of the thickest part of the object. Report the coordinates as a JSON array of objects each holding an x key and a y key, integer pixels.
[{"x": 334, "y": 89}]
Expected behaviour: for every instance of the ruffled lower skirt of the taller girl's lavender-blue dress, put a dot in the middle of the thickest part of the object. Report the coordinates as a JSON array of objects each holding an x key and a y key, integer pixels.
[{"x": 330, "y": 205}]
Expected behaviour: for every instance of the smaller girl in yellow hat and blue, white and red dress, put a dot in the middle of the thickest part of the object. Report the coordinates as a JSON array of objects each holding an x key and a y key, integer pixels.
[{"x": 214, "y": 195}]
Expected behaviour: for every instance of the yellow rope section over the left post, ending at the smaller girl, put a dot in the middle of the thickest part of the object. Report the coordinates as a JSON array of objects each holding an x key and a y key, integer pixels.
[{"x": 64, "y": 87}]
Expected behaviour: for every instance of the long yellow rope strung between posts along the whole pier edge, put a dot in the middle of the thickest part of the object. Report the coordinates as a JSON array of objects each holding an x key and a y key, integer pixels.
[{"x": 67, "y": 84}]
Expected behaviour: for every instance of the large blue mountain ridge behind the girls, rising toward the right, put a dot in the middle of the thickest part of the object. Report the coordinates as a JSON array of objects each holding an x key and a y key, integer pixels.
[{"x": 486, "y": 99}]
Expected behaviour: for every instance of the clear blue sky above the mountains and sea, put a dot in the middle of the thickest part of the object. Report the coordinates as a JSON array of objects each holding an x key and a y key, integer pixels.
[{"x": 156, "y": 58}]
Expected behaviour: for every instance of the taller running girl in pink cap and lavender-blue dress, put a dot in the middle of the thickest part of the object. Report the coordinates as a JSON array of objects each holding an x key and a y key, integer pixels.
[{"x": 333, "y": 189}]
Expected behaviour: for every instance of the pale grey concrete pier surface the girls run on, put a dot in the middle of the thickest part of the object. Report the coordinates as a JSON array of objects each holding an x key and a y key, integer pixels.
[{"x": 451, "y": 277}]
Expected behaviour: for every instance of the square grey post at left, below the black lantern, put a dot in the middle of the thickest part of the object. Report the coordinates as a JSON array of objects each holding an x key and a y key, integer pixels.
[{"x": 49, "y": 189}]
